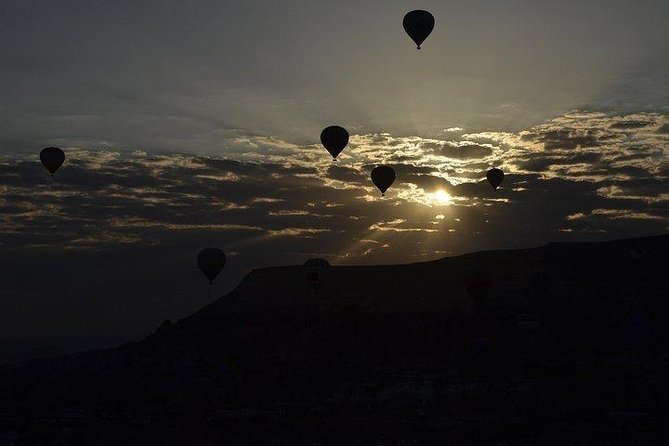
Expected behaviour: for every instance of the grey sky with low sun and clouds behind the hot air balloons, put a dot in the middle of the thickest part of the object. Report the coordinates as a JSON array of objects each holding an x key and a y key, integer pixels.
[{"x": 196, "y": 124}]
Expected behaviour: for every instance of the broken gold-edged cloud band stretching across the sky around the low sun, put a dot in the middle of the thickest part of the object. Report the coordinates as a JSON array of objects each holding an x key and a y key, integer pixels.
[{"x": 108, "y": 195}]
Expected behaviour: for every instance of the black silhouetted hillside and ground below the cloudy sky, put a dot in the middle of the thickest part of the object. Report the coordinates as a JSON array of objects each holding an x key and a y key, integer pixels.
[{"x": 559, "y": 345}]
